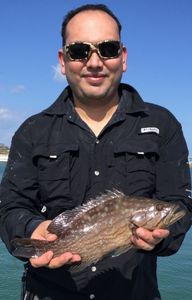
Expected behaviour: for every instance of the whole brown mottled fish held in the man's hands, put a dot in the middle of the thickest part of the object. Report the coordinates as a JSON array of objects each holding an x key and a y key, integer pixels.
[{"x": 102, "y": 226}]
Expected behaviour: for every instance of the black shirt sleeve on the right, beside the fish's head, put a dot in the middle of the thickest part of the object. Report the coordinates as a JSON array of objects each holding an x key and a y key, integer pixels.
[{"x": 173, "y": 183}]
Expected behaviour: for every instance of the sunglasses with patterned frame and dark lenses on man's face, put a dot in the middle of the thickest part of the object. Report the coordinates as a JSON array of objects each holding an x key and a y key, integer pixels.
[{"x": 82, "y": 50}]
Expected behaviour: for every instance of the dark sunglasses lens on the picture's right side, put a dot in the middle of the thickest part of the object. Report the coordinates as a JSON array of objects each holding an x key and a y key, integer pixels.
[{"x": 109, "y": 49}]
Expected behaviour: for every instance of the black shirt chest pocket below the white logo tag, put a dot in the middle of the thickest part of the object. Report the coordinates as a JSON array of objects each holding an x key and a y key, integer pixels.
[{"x": 136, "y": 163}]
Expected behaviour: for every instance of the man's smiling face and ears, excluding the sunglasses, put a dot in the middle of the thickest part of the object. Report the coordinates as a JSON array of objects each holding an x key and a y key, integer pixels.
[{"x": 95, "y": 78}]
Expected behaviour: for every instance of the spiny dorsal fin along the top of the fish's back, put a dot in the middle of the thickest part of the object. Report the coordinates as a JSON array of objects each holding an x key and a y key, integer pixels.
[{"x": 61, "y": 224}]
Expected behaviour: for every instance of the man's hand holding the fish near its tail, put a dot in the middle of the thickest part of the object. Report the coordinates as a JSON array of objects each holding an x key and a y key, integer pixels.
[{"x": 47, "y": 260}]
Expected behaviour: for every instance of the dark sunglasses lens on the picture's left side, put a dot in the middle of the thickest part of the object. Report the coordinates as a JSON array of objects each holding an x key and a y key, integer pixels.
[{"x": 78, "y": 50}]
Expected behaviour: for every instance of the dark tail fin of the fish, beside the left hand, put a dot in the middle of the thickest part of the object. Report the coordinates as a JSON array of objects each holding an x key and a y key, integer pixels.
[{"x": 26, "y": 247}]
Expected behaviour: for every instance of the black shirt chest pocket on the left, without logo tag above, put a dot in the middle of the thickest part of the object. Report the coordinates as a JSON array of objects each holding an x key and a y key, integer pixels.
[{"x": 53, "y": 164}]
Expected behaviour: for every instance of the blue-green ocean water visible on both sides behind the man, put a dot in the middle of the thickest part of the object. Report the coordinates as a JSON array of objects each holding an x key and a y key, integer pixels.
[{"x": 174, "y": 272}]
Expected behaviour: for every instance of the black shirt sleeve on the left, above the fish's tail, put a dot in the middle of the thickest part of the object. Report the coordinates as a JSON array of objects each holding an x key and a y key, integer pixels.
[{"x": 19, "y": 191}]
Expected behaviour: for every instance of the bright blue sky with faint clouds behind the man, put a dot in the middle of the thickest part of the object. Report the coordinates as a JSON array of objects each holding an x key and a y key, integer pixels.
[{"x": 157, "y": 34}]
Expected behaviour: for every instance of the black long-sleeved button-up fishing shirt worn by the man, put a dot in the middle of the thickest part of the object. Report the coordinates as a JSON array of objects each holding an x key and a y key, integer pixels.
[{"x": 56, "y": 163}]
